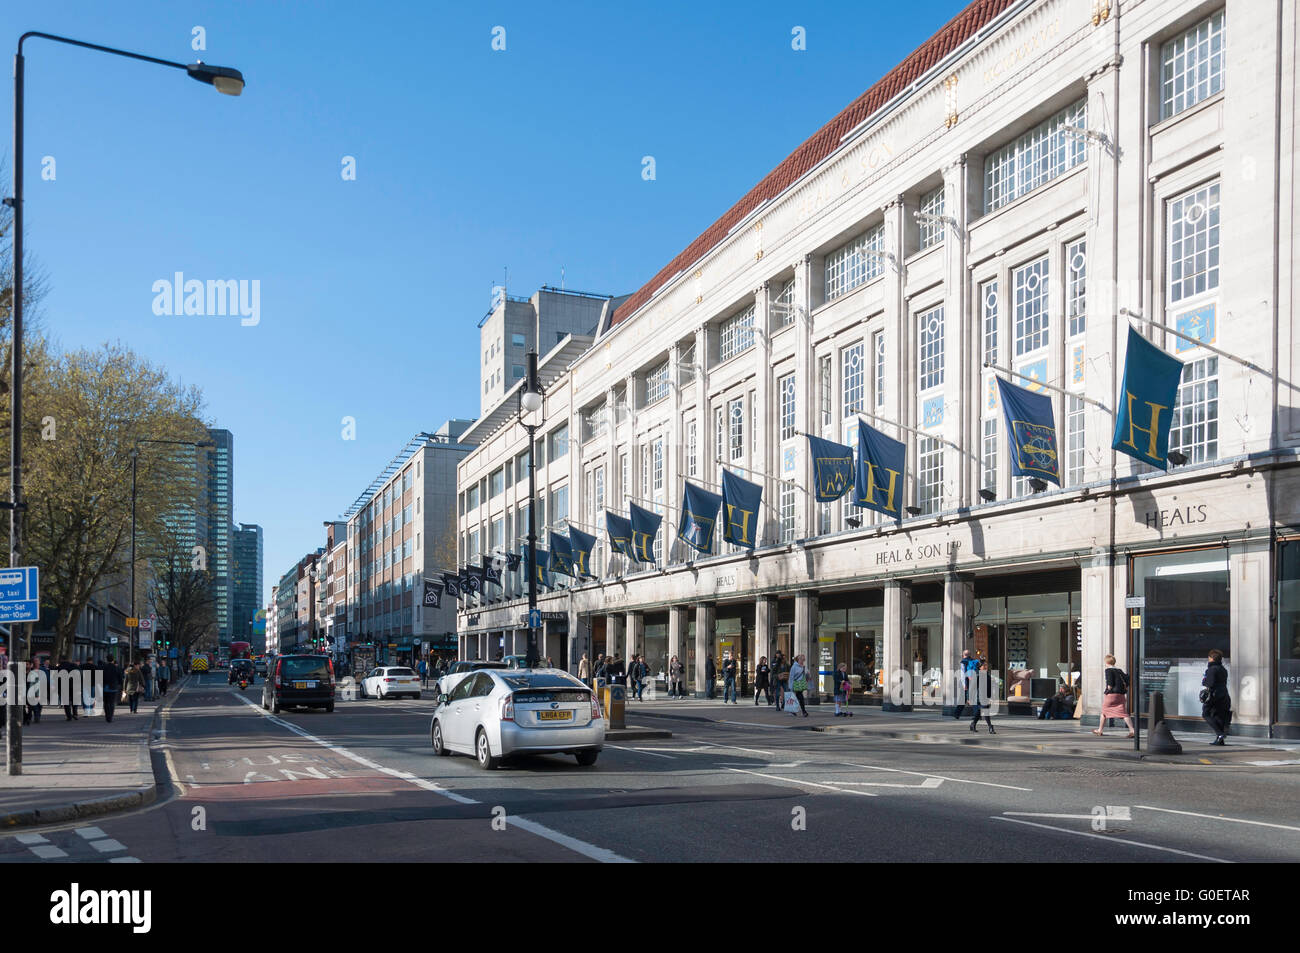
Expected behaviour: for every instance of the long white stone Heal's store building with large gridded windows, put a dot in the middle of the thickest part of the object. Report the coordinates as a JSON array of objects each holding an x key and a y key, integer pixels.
[{"x": 999, "y": 198}]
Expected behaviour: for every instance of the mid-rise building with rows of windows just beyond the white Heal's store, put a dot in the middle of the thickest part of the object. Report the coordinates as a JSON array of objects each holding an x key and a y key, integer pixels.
[{"x": 401, "y": 531}]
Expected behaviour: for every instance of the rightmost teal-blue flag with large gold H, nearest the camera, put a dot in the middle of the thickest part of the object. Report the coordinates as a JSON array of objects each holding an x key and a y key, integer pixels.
[{"x": 1147, "y": 402}]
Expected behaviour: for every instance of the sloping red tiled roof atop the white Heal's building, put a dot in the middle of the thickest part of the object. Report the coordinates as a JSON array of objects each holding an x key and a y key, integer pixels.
[{"x": 825, "y": 141}]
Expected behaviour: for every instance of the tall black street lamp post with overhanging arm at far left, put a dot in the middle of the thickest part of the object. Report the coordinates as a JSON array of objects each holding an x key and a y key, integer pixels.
[{"x": 224, "y": 80}]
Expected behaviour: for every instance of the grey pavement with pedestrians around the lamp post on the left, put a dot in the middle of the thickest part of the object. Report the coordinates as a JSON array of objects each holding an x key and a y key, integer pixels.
[{"x": 83, "y": 769}]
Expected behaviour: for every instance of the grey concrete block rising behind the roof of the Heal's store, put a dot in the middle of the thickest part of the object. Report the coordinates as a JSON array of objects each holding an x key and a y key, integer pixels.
[{"x": 515, "y": 326}]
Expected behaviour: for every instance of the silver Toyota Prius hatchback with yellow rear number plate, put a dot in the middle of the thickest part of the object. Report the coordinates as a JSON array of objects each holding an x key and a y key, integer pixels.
[{"x": 495, "y": 714}]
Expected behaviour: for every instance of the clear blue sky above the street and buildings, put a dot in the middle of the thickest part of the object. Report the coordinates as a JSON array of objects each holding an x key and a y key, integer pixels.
[{"x": 469, "y": 161}]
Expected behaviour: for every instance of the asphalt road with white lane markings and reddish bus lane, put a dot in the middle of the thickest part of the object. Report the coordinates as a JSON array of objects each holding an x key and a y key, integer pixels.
[{"x": 362, "y": 785}]
